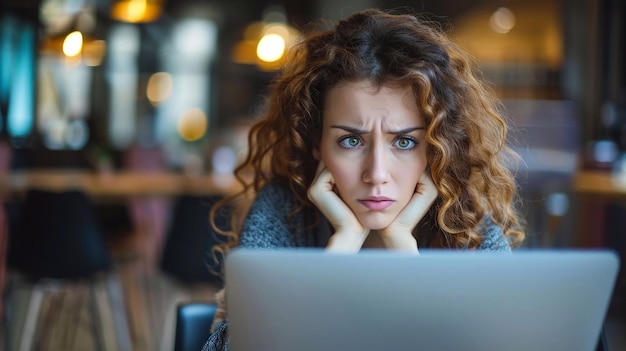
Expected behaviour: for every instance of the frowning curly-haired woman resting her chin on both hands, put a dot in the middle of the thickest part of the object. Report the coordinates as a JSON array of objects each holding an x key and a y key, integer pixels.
[{"x": 377, "y": 134}]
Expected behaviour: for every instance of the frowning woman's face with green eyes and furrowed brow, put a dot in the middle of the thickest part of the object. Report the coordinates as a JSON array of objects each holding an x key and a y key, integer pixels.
[{"x": 373, "y": 144}]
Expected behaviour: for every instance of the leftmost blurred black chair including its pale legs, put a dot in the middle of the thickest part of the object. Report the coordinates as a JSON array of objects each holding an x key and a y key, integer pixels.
[{"x": 56, "y": 239}]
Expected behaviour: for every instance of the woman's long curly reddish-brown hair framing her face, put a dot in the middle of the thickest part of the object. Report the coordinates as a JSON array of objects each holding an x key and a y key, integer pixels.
[{"x": 466, "y": 134}]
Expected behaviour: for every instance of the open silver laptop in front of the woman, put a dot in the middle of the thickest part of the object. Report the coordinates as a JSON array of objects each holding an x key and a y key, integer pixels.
[{"x": 310, "y": 299}]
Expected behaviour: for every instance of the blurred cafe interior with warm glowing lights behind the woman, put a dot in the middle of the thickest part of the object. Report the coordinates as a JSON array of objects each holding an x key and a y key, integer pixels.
[{"x": 121, "y": 122}]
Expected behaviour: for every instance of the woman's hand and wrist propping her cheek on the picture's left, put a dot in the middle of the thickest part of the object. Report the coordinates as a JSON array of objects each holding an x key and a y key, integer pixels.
[{"x": 349, "y": 233}]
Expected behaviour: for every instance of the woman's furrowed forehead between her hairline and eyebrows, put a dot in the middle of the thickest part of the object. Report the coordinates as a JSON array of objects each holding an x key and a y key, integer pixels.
[{"x": 362, "y": 103}]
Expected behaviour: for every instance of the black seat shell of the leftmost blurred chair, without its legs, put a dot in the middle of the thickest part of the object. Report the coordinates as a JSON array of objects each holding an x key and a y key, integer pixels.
[{"x": 57, "y": 236}]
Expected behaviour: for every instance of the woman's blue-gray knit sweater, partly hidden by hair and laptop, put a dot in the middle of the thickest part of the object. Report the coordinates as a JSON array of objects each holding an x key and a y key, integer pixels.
[{"x": 269, "y": 226}]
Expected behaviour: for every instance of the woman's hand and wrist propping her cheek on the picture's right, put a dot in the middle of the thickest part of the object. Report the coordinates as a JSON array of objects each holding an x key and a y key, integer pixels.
[{"x": 399, "y": 234}]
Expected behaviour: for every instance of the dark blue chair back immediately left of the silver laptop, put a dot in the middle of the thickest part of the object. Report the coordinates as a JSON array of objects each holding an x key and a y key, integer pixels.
[{"x": 193, "y": 324}]
